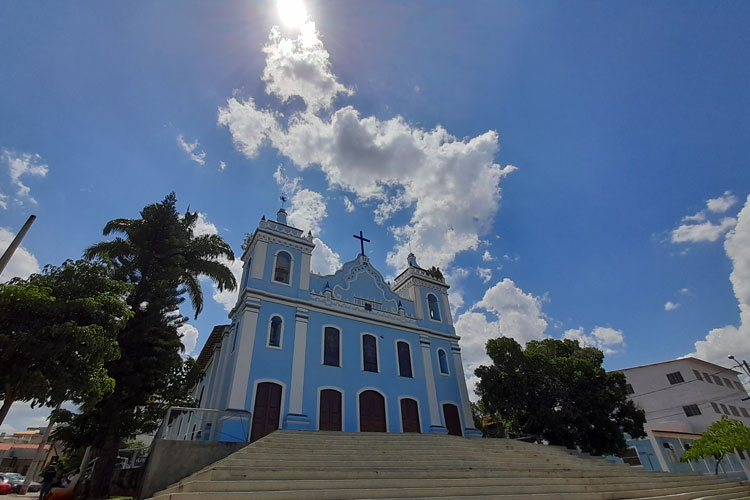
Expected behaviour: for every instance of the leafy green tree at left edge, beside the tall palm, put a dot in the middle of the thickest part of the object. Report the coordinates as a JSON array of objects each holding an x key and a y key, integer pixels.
[{"x": 57, "y": 331}]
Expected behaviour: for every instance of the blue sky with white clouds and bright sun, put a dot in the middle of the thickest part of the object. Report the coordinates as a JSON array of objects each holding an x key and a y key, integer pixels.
[{"x": 576, "y": 169}]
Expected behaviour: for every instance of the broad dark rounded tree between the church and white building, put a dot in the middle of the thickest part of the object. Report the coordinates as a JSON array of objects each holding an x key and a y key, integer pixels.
[{"x": 558, "y": 391}]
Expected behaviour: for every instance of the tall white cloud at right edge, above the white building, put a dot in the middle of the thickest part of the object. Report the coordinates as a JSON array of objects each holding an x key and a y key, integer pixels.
[{"x": 731, "y": 339}]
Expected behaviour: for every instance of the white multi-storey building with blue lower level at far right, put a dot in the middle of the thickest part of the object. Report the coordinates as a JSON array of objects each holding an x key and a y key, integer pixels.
[{"x": 682, "y": 398}]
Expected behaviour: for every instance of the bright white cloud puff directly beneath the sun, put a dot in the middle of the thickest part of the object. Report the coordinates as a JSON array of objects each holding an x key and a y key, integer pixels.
[{"x": 301, "y": 68}]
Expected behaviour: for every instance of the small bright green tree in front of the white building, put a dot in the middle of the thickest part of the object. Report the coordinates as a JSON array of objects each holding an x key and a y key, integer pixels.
[{"x": 722, "y": 437}]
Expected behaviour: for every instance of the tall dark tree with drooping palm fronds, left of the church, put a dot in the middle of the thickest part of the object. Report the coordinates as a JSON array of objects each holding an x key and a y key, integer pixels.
[{"x": 163, "y": 260}]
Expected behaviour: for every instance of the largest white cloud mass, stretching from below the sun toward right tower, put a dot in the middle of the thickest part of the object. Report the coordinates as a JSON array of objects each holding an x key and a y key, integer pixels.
[{"x": 451, "y": 184}]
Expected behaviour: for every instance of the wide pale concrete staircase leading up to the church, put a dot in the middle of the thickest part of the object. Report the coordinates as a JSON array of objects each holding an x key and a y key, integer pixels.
[{"x": 298, "y": 465}]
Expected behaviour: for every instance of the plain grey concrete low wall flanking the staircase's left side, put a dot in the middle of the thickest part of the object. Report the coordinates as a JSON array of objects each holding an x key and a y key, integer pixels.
[{"x": 171, "y": 461}]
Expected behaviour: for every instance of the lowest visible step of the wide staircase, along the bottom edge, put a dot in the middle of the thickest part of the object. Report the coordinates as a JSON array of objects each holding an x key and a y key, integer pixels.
[{"x": 684, "y": 493}]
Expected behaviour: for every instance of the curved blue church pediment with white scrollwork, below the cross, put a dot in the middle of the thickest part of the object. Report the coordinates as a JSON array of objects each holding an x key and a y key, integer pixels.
[{"x": 360, "y": 283}]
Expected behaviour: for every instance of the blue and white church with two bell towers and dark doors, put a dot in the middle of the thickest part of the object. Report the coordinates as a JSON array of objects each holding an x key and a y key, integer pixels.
[{"x": 342, "y": 352}]
